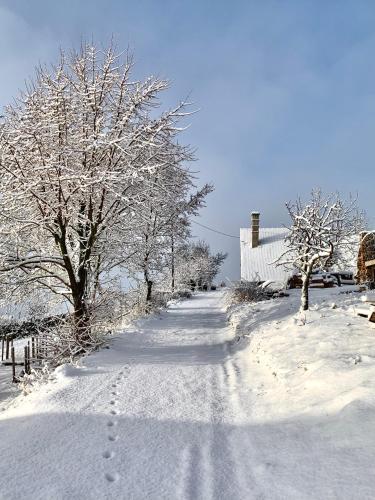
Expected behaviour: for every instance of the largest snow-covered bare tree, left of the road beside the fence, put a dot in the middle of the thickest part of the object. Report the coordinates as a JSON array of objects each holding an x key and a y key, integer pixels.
[{"x": 77, "y": 149}]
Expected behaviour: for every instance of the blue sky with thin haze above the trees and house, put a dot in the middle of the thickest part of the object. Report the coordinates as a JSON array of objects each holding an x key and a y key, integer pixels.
[{"x": 286, "y": 90}]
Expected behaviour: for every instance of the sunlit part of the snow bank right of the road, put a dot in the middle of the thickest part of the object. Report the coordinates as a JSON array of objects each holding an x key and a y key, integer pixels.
[{"x": 314, "y": 364}]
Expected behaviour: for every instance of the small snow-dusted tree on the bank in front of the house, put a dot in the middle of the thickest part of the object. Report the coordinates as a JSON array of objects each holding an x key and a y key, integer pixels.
[{"x": 322, "y": 231}]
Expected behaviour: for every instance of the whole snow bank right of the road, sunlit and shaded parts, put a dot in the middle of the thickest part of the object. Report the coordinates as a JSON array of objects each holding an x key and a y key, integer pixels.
[{"x": 310, "y": 381}]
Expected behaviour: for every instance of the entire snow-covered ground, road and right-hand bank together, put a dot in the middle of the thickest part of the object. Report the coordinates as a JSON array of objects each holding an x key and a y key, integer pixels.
[{"x": 188, "y": 406}]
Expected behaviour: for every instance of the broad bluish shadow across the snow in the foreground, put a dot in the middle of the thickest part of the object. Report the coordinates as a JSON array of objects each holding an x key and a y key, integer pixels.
[{"x": 86, "y": 456}]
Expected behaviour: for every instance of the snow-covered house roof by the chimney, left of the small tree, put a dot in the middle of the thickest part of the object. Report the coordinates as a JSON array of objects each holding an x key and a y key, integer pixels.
[{"x": 257, "y": 260}]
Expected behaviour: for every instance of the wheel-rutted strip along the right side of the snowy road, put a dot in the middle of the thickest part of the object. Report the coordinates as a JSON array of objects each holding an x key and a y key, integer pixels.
[{"x": 215, "y": 466}]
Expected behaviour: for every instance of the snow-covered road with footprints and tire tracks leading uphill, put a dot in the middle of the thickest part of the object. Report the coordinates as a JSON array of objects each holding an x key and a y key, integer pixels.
[{"x": 152, "y": 417}]
